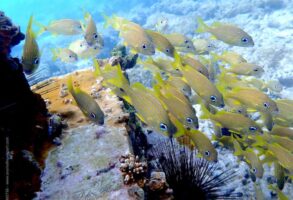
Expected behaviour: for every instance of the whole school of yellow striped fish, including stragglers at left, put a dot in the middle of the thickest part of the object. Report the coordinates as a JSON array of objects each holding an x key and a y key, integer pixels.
[{"x": 226, "y": 87}]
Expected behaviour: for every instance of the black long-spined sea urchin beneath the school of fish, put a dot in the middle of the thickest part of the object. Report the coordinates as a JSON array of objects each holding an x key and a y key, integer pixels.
[{"x": 191, "y": 177}]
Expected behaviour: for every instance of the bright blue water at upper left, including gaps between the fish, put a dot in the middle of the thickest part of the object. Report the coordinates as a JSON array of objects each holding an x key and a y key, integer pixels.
[{"x": 45, "y": 11}]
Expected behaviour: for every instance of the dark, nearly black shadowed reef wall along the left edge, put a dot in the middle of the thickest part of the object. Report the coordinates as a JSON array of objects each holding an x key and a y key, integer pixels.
[{"x": 23, "y": 122}]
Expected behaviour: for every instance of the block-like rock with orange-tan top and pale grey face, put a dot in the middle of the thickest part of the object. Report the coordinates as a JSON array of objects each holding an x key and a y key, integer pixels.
[{"x": 93, "y": 151}]
